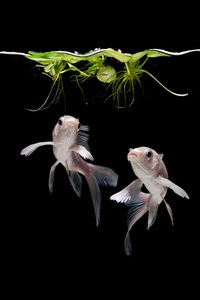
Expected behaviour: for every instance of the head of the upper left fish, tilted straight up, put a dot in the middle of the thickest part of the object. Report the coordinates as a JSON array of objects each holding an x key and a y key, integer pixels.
[{"x": 66, "y": 125}]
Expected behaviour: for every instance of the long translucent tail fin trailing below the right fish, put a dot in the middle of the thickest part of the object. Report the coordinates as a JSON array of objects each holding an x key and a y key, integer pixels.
[{"x": 137, "y": 208}]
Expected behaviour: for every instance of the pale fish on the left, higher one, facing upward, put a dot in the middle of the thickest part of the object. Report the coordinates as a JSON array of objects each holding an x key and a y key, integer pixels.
[{"x": 70, "y": 145}]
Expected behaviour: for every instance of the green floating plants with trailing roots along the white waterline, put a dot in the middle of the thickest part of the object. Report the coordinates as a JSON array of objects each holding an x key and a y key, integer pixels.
[{"x": 99, "y": 63}]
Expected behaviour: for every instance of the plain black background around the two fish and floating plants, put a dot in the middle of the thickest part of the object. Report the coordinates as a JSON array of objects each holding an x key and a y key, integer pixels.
[{"x": 51, "y": 242}]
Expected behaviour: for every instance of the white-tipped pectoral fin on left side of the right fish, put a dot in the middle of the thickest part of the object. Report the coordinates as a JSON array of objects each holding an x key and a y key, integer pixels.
[{"x": 129, "y": 193}]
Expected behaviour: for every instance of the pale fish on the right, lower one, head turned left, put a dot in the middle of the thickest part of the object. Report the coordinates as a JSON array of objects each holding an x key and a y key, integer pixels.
[{"x": 150, "y": 169}]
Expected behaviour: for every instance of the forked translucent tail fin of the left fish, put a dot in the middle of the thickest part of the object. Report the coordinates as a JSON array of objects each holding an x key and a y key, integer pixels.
[{"x": 99, "y": 176}]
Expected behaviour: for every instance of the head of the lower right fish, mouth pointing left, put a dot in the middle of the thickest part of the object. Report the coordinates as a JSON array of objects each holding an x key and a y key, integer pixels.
[{"x": 146, "y": 162}]
